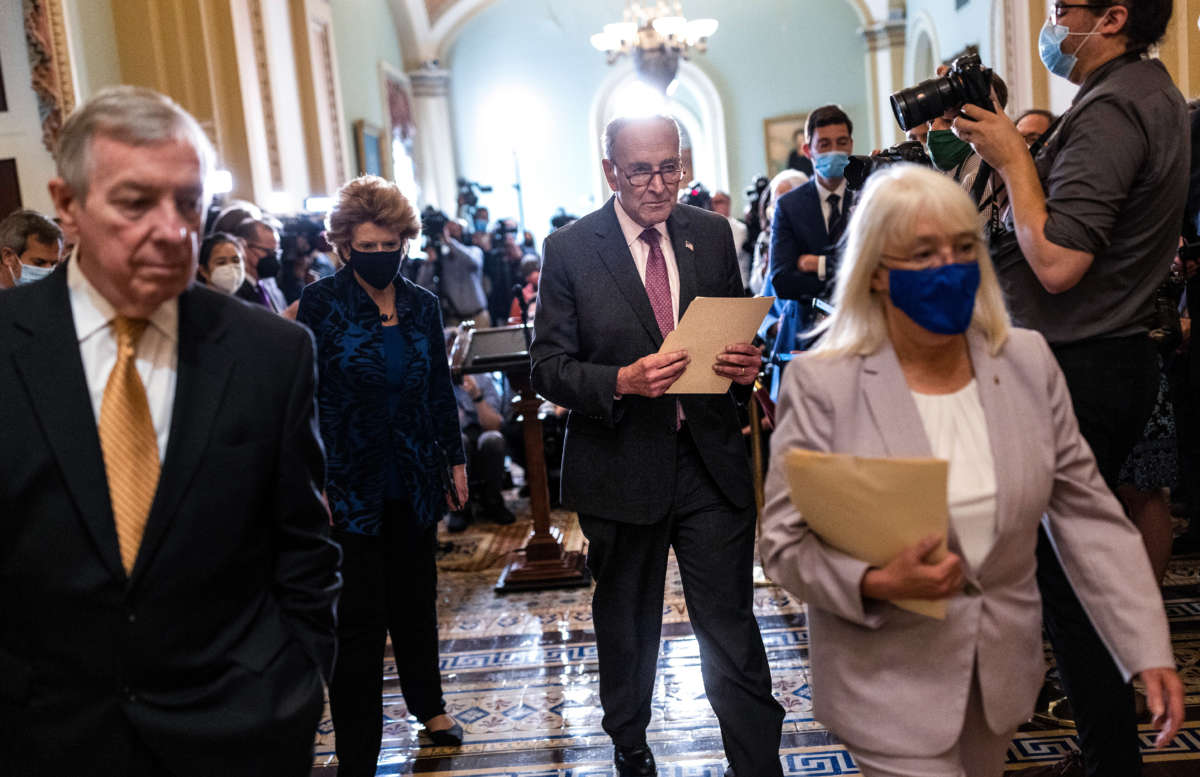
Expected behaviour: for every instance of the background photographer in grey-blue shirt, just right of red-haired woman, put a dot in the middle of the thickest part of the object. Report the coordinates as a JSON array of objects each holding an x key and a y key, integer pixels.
[{"x": 453, "y": 270}]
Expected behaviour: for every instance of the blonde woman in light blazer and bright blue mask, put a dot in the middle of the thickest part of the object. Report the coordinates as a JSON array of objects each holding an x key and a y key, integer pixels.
[{"x": 920, "y": 360}]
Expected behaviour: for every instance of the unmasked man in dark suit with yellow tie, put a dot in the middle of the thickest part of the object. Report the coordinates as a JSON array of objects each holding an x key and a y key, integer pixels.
[{"x": 167, "y": 580}]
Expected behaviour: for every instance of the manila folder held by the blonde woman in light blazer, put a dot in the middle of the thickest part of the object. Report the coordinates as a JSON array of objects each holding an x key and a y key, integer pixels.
[{"x": 873, "y": 508}]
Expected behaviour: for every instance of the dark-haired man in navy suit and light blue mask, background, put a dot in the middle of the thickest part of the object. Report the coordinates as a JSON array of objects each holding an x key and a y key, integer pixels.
[{"x": 811, "y": 219}]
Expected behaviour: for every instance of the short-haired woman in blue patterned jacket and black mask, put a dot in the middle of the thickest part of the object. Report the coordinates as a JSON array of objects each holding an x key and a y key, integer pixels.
[{"x": 391, "y": 426}]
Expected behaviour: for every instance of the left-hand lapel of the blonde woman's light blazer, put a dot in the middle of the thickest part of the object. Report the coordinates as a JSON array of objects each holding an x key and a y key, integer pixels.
[{"x": 896, "y": 415}]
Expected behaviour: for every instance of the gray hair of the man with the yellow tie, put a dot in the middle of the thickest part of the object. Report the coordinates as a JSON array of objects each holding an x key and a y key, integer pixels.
[{"x": 133, "y": 116}]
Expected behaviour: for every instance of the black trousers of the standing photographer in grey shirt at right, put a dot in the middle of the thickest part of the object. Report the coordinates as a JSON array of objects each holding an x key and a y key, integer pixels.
[{"x": 1113, "y": 388}]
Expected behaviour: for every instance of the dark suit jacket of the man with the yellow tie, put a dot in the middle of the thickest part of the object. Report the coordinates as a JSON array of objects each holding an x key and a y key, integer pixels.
[{"x": 212, "y": 652}]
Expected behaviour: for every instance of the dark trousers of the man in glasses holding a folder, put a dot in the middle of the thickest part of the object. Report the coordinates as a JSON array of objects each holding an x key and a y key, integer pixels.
[{"x": 715, "y": 547}]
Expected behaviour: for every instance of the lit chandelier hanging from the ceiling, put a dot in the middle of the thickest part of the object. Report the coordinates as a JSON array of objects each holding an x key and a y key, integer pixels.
[{"x": 657, "y": 35}]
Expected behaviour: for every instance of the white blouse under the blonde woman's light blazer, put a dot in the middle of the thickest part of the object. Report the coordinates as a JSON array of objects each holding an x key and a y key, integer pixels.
[{"x": 958, "y": 433}]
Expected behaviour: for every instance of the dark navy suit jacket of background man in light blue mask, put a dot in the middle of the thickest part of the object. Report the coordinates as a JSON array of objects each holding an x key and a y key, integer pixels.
[{"x": 799, "y": 230}]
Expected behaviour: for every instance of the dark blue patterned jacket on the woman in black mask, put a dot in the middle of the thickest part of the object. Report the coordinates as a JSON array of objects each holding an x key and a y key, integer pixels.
[{"x": 362, "y": 436}]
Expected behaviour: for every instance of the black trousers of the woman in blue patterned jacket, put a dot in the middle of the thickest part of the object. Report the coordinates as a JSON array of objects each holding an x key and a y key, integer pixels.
[{"x": 391, "y": 586}]
